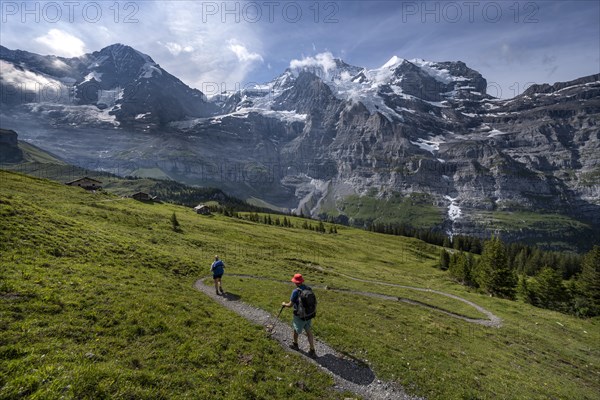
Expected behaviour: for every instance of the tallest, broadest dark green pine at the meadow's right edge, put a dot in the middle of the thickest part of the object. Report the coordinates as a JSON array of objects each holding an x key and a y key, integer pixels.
[{"x": 494, "y": 275}]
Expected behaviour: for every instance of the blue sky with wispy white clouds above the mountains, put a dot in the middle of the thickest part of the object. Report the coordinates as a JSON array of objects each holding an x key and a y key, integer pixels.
[{"x": 227, "y": 45}]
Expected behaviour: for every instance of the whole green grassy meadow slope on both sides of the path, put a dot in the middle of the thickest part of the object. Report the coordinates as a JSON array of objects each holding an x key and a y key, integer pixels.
[{"x": 97, "y": 302}]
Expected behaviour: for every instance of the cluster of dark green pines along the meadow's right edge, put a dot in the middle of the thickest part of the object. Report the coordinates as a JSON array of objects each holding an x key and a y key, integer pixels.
[{"x": 537, "y": 277}]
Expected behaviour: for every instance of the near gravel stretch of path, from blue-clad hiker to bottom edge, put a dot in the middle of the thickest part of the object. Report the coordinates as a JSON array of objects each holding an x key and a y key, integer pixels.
[{"x": 348, "y": 374}]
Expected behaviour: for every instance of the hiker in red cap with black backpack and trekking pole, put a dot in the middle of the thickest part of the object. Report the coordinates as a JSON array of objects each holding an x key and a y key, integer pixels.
[{"x": 305, "y": 308}]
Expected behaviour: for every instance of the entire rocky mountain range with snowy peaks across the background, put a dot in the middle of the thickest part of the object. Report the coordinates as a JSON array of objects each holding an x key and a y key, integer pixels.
[{"x": 413, "y": 142}]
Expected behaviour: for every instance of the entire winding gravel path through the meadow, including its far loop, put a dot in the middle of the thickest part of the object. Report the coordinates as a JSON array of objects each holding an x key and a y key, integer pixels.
[{"x": 348, "y": 374}]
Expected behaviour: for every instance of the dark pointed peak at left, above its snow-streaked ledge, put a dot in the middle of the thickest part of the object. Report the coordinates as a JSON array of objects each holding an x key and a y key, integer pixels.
[{"x": 116, "y": 86}]
